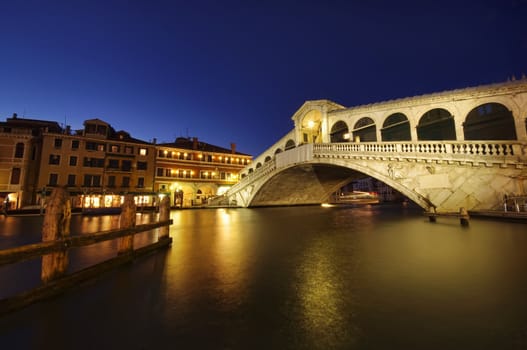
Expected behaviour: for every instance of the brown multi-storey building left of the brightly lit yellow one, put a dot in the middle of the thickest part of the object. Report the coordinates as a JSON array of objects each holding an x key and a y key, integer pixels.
[{"x": 98, "y": 165}]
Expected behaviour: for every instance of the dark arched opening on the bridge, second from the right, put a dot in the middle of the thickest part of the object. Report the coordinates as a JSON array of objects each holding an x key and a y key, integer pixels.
[{"x": 436, "y": 124}]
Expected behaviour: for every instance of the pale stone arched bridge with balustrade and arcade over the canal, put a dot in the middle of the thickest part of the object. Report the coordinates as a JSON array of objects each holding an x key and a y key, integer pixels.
[{"x": 462, "y": 148}]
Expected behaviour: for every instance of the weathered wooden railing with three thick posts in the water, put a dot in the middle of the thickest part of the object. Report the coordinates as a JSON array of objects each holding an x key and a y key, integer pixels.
[{"x": 56, "y": 241}]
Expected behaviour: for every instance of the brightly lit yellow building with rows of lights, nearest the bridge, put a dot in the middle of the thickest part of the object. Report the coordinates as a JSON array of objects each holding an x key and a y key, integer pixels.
[{"x": 192, "y": 172}]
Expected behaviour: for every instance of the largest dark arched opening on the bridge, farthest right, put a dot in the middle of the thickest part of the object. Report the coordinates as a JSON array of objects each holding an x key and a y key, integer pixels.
[{"x": 490, "y": 121}]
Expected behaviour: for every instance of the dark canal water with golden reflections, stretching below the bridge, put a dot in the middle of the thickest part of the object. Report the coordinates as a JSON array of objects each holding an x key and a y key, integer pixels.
[{"x": 379, "y": 277}]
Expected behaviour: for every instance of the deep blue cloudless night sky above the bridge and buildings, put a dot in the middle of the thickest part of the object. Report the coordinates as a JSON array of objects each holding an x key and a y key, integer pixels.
[{"x": 236, "y": 71}]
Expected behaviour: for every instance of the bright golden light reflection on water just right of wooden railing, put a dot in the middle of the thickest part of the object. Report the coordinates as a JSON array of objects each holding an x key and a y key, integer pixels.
[{"x": 209, "y": 246}]
